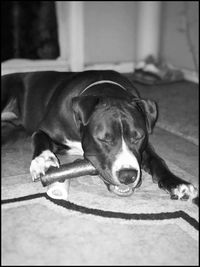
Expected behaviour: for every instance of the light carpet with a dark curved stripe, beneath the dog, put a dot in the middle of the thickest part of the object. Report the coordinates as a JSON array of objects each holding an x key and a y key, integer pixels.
[{"x": 94, "y": 227}]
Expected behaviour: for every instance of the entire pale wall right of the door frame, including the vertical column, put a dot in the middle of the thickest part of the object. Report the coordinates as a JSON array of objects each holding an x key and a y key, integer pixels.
[{"x": 113, "y": 31}]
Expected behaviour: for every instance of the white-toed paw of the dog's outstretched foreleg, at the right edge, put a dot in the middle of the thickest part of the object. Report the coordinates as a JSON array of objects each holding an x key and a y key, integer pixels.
[{"x": 184, "y": 192}]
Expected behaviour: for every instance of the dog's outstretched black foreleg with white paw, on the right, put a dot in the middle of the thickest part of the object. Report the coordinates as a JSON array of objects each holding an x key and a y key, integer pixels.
[{"x": 156, "y": 166}]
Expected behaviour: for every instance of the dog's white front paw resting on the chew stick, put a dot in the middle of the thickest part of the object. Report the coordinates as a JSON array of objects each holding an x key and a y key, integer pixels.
[{"x": 42, "y": 163}]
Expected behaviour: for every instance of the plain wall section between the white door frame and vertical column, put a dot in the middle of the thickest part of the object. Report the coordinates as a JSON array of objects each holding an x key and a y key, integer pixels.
[{"x": 109, "y": 31}]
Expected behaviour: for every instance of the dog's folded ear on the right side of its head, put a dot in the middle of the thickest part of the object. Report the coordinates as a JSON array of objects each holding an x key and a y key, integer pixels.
[{"x": 150, "y": 109}]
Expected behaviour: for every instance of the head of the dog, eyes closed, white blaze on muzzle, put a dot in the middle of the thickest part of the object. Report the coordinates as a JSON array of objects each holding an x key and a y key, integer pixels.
[{"x": 114, "y": 133}]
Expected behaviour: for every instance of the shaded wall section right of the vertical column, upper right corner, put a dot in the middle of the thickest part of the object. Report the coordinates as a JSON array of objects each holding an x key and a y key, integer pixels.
[{"x": 174, "y": 46}]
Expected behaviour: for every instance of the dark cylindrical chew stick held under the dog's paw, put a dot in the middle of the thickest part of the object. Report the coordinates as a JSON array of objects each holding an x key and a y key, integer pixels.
[{"x": 68, "y": 171}]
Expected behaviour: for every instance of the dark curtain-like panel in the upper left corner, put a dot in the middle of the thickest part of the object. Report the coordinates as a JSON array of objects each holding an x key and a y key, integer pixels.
[{"x": 29, "y": 30}]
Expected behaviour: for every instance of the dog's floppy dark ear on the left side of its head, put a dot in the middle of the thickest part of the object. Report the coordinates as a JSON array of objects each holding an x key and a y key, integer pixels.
[{"x": 83, "y": 107}]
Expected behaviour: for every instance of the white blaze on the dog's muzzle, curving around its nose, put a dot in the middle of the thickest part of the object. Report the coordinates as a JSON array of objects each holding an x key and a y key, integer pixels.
[{"x": 125, "y": 159}]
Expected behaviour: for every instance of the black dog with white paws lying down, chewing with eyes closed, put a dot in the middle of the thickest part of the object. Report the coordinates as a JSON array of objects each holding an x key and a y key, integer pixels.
[{"x": 102, "y": 114}]
